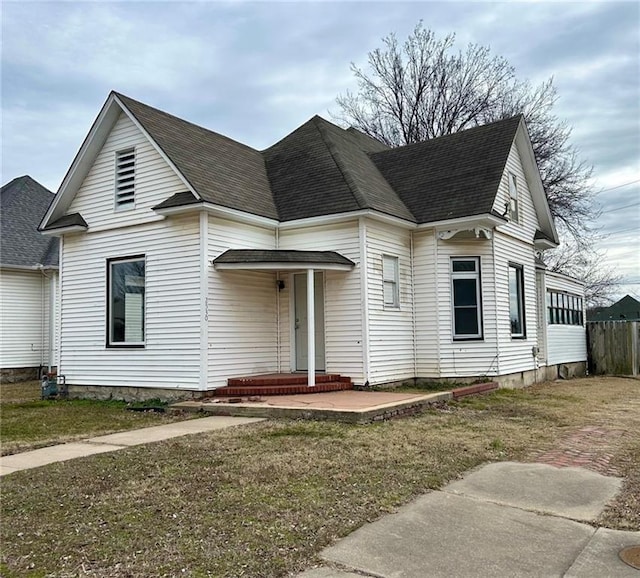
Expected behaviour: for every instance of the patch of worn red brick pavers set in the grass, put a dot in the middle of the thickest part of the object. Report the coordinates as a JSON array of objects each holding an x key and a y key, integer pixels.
[{"x": 589, "y": 447}]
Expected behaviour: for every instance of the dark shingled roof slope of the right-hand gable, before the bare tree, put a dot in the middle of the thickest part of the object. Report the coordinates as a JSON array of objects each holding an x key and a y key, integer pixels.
[{"x": 452, "y": 176}]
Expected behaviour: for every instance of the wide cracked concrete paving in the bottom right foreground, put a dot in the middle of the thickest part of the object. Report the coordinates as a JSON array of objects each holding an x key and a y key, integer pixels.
[{"x": 505, "y": 519}]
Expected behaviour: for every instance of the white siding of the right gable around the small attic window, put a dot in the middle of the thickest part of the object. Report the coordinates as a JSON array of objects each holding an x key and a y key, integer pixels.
[{"x": 528, "y": 220}]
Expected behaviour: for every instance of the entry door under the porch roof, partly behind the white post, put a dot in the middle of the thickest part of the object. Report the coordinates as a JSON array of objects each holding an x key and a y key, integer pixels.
[{"x": 300, "y": 320}]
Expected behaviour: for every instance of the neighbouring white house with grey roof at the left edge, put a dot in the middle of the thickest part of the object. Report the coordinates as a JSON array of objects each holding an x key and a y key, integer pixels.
[{"x": 28, "y": 282}]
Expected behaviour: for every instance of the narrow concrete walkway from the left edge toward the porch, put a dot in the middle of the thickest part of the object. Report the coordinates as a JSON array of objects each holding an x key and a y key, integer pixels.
[{"x": 116, "y": 441}]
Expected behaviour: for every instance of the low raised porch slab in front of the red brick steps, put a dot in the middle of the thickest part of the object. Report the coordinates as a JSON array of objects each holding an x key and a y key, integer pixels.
[{"x": 347, "y": 406}]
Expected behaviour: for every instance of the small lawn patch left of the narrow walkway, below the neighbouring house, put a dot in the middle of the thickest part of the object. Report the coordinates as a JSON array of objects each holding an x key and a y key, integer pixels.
[{"x": 27, "y": 422}]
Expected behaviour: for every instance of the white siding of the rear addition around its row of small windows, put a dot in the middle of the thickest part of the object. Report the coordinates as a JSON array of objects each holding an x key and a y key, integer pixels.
[{"x": 567, "y": 343}]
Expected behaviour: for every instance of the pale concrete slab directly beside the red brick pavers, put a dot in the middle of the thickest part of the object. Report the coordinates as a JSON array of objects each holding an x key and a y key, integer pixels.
[{"x": 574, "y": 493}]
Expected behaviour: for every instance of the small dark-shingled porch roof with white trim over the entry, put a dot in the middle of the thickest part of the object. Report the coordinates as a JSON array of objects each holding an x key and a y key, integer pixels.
[{"x": 279, "y": 260}]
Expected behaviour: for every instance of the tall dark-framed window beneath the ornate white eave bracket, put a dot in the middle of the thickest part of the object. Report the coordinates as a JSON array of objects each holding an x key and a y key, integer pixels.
[{"x": 465, "y": 288}]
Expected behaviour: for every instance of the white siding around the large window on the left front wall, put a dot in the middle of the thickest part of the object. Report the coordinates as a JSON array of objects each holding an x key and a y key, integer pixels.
[{"x": 171, "y": 356}]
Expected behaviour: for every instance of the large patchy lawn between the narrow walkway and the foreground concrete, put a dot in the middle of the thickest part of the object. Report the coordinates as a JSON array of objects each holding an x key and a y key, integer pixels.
[{"x": 263, "y": 500}]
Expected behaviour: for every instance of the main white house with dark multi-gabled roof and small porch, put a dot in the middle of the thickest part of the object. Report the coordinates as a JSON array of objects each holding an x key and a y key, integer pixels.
[{"x": 188, "y": 258}]
